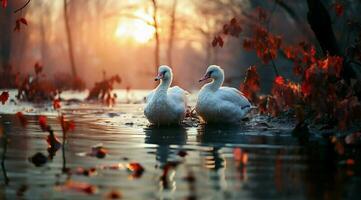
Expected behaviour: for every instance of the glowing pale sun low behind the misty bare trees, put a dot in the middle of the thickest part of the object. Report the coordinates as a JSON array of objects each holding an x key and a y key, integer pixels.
[{"x": 135, "y": 30}]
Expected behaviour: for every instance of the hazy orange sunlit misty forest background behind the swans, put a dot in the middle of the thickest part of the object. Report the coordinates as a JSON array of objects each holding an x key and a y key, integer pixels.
[{"x": 120, "y": 37}]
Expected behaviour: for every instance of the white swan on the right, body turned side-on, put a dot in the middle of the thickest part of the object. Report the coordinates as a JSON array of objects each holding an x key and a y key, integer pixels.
[{"x": 216, "y": 104}]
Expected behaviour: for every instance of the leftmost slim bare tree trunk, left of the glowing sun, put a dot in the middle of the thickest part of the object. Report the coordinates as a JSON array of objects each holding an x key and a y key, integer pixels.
[{"x": 69, "y": 39}]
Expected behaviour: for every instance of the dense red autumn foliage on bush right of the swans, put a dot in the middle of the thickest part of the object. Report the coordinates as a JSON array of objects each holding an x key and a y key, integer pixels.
[{"x": 321, "y": 95}]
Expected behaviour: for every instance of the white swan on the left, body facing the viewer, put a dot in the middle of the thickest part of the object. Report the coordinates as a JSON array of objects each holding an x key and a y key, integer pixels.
[{"x": 166, "y": 106}]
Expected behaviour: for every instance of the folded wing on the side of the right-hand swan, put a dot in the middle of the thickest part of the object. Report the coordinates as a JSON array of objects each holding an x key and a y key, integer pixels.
[{"x": 234, "y": 96}]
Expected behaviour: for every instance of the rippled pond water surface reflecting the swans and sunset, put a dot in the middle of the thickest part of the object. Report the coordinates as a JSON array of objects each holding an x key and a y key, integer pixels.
[{"x": 206, "y": 158}]
